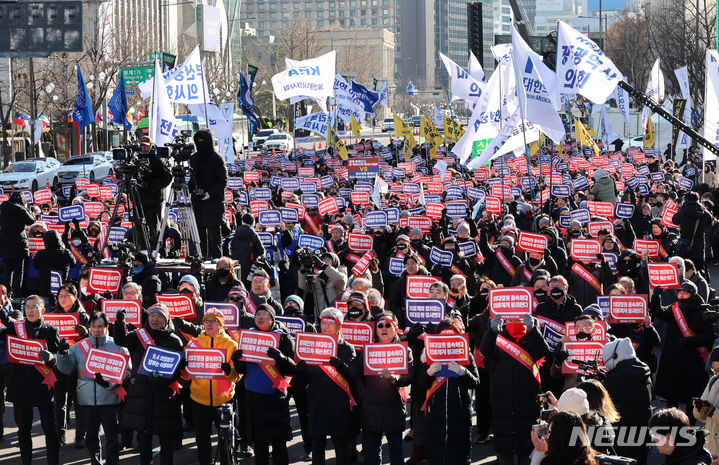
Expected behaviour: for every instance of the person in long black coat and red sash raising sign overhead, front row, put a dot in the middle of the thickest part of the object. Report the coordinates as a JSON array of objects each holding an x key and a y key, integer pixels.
[{"x": 513, "y": 387}]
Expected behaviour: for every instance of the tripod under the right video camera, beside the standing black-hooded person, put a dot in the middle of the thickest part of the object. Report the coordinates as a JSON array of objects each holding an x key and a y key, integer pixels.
[{"x": 180, "y": 196}]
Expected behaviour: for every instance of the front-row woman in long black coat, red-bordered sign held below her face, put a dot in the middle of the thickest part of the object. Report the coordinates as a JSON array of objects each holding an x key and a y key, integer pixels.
[{"x": 449, "y": 408}]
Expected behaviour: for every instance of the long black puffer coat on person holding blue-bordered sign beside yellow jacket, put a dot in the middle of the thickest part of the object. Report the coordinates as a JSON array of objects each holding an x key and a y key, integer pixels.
[{"x": 151, "y": 405}]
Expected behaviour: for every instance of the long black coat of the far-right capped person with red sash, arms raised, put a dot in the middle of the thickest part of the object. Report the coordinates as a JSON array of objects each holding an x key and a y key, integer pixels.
[{"x": 681, "y": 373}]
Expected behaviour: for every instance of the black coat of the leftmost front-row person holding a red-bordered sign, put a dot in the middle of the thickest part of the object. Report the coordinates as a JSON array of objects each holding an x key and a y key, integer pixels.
[{"x": 25, "y": 385}]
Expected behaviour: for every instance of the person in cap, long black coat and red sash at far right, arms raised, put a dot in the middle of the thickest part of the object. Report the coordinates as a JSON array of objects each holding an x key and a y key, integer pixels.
[{"x": 681, "y": 374}]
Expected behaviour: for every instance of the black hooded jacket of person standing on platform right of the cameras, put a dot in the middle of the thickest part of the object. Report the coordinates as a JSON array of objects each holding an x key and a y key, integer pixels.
[{"x": 209, "y": 173}]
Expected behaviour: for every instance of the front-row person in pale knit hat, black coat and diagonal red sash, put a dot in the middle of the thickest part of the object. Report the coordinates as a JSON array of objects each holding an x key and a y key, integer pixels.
[{"x": 329, "y": 396}]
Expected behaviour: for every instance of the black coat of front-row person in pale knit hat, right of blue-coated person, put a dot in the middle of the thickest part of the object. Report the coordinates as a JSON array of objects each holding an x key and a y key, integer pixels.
[{"x": 328, "y": 407}]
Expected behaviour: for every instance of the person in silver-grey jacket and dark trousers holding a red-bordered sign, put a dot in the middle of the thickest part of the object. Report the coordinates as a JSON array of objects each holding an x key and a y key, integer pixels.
[{"x": 97, "y": 397}]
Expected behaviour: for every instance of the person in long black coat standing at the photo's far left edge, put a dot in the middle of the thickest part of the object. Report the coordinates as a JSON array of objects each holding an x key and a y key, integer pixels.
[{"x": 14, "y": 216}]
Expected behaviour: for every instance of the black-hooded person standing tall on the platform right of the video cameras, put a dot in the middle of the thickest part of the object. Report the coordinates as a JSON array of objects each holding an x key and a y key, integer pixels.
[{"x": 207, "y": 184}]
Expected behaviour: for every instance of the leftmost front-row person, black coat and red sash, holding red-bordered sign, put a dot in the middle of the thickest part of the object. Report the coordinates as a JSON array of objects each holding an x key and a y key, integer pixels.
[{"x": 31, "y": 386}]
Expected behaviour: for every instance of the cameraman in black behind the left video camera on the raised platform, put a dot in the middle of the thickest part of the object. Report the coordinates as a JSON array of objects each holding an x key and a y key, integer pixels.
[{"x": 153, "y": 180}]
